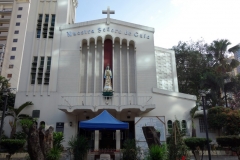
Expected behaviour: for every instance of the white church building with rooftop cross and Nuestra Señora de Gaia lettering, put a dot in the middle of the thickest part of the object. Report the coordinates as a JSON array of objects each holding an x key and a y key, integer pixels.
[{"x": 63, "y": 74}]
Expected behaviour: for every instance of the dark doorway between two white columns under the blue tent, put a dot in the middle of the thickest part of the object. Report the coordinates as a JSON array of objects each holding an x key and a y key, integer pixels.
[{"x": 107, "y": 139}]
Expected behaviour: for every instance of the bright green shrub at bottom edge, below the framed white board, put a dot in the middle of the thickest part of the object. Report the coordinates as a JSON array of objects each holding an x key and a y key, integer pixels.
[{"x": 157, "y": 152}]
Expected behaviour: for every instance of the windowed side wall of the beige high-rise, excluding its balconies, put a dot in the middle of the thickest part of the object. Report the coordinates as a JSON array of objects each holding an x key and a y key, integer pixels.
[{"x": 15, "y": 40}]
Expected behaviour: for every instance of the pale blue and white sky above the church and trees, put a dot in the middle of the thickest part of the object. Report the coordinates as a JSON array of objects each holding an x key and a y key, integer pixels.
[{"x": 173, "y": 20}]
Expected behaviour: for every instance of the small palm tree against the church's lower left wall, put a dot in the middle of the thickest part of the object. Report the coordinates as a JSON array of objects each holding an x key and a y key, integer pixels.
[{"x": 15, "y": 113}]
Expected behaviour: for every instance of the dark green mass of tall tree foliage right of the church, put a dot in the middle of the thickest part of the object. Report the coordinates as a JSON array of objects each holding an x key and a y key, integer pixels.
[{"x": 202, "y": 66}]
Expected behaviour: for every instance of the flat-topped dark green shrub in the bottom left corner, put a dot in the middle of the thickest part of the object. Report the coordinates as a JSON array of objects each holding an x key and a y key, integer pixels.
[{"x": 12, "y": 145}]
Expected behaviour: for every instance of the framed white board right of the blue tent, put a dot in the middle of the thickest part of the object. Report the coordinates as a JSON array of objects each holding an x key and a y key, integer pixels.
[{"x": 157, "y": 122}]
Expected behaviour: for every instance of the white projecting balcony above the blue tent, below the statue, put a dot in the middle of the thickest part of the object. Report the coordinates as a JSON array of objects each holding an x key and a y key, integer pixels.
[{"x": 76, "y": 104}]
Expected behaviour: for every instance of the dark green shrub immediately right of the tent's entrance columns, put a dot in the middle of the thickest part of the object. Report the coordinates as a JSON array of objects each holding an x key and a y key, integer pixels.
[{"x": 130, "y": 150}]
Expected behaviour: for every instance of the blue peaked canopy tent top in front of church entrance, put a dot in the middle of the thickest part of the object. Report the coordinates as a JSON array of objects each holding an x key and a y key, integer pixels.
[{"x": 103, "y": 121}]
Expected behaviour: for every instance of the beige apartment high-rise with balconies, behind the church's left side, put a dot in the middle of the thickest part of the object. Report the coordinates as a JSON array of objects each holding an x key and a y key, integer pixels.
[{"x": 13, "y": 27}]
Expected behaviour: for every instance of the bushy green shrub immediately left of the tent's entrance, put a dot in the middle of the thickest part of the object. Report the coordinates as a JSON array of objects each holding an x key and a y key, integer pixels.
[{"x": 79, "y": 146}]
